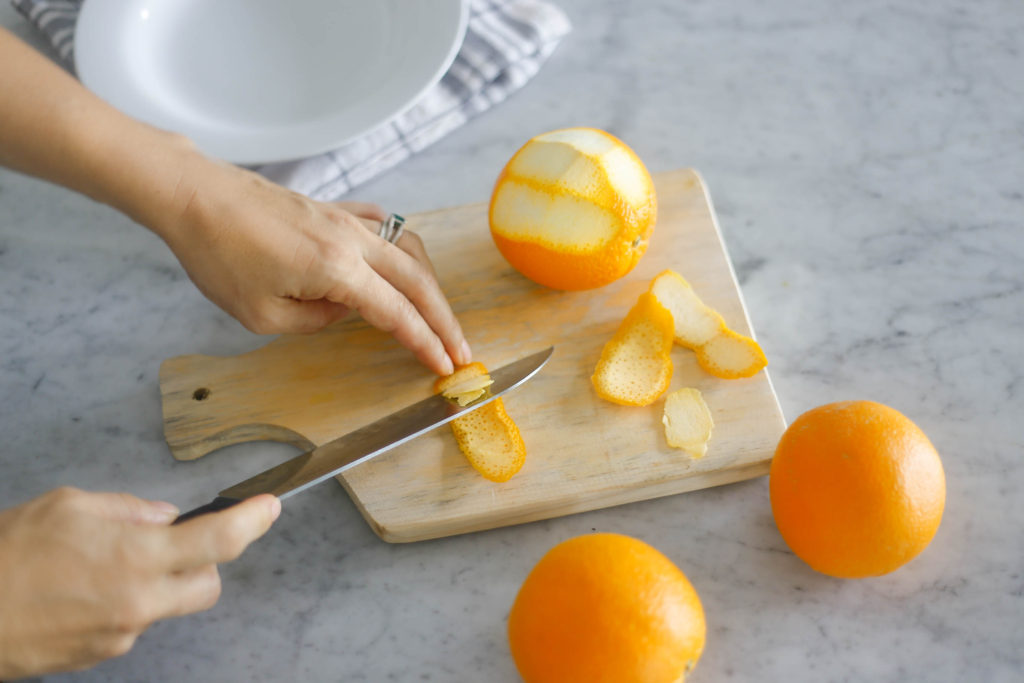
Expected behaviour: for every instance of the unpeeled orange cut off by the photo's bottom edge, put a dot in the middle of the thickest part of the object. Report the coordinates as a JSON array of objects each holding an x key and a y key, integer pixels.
[{"x": 606, "y": 608}]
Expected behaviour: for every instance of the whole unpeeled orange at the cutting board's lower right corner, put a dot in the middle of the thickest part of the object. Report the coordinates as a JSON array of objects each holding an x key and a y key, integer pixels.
[{"x": 858, "y": 490}]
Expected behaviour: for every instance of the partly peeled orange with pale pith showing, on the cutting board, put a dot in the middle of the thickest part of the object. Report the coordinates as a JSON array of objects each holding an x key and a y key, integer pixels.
[{"x": 574, "y": 209}]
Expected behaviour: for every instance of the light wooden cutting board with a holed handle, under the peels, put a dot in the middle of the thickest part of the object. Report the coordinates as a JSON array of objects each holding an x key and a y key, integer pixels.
[{"x": 584, "y": 453}]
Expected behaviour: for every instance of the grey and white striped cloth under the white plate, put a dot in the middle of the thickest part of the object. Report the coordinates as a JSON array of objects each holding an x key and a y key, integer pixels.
[{"x": 506, "y": 44}]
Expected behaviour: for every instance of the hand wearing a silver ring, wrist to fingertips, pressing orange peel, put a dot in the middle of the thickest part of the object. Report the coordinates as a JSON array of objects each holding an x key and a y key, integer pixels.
[{"x": 280, "y": 263}]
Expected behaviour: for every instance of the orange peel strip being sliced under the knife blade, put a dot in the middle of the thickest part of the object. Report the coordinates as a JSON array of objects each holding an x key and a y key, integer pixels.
[{"x": 488, "y": 437}]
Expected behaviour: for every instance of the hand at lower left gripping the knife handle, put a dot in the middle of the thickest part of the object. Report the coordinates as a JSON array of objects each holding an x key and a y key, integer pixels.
[{"x": 82, "y": 575}]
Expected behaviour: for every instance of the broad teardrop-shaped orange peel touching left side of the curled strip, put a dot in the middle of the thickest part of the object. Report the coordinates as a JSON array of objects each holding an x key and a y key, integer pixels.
[{"x": 636, "y": 365}]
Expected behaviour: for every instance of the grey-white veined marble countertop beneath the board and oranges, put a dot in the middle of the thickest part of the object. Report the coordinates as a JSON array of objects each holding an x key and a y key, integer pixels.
[{"x": 868, "y": 163}]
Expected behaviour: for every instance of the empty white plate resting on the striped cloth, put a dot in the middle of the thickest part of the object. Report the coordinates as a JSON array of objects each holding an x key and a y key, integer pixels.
[{"x": 254, "y": 81}]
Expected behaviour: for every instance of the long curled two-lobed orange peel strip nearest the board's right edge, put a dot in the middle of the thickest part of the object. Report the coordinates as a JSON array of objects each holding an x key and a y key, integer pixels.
[{"x": 721, "y": 352}]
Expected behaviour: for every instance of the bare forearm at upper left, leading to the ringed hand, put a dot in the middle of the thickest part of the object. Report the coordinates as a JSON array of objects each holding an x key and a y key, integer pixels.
[{"x": 54, "y": 129}]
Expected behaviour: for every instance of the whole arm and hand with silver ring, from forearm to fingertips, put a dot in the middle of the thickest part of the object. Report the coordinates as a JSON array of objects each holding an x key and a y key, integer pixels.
[{"x": 275, "y": 260}]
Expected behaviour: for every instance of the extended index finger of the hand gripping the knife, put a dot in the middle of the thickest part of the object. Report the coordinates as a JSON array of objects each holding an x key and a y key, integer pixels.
[{"x": 222, "y": 537}]
